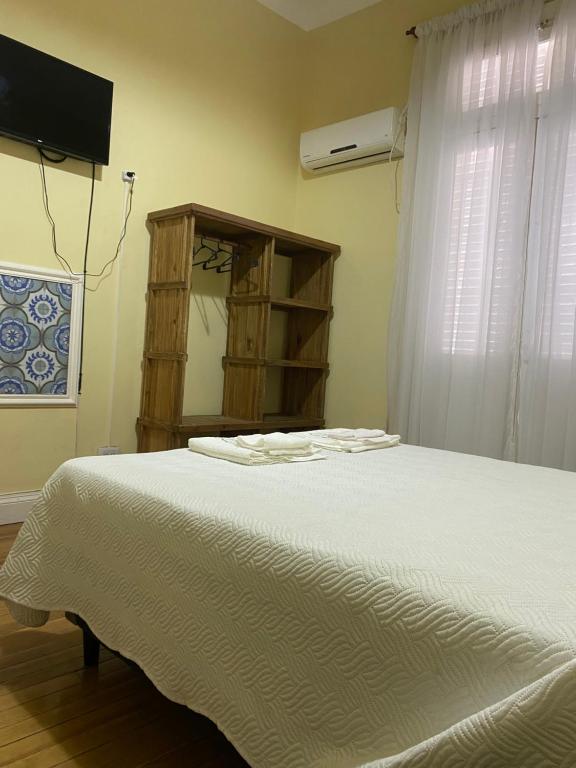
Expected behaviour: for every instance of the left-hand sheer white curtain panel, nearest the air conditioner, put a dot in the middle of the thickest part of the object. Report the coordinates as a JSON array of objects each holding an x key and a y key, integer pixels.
[{"x": 458, "y": 308}]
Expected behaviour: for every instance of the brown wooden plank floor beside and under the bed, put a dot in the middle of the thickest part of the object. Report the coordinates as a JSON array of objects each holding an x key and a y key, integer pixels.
[{"x": 53, "y": 712}]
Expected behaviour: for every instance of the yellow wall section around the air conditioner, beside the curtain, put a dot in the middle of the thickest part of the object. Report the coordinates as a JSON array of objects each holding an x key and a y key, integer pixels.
[{"x": 359, "y": 64}]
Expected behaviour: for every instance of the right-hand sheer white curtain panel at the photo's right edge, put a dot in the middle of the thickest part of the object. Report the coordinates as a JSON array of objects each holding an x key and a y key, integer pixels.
[{"x": 547, "y": 390}]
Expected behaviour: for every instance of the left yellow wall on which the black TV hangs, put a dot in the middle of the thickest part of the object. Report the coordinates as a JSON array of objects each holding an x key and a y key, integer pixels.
[{"x": 206, "y": 109}]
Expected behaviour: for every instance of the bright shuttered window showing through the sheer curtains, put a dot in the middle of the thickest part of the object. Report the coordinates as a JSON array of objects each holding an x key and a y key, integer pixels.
[{"x": 480, "y": 263}]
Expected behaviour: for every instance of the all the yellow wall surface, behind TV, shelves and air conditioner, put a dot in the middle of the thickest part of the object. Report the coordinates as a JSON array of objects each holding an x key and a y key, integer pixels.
[{"x": 210, "y": 97}]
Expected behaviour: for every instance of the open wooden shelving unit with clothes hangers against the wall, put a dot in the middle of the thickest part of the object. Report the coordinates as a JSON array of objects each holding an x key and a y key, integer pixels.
[{"x": 303, "y": 363}]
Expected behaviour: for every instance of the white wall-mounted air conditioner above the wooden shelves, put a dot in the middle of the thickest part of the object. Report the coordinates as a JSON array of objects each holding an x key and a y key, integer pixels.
[{"x": 361, "y": 140}]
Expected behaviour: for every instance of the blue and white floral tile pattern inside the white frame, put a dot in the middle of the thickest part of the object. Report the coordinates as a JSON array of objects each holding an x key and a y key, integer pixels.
[{"x": 35, "y": 317}]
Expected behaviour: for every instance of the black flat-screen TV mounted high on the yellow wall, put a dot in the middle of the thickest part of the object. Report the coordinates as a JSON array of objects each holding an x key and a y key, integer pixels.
[{"x": 53, "y": 104}]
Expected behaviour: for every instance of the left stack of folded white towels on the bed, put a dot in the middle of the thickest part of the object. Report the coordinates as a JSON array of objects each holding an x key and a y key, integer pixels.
[{"x": 252, "y": 450}]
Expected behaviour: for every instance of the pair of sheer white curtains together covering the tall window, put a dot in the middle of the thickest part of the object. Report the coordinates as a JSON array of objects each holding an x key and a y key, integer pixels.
[{"x": 482, "y": 344}]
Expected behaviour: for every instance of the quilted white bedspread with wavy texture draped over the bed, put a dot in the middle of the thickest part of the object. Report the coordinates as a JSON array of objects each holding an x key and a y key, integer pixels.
[{"x": 405, "y": 607}]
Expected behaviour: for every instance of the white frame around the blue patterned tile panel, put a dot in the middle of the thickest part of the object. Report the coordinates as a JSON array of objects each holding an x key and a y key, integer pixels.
[{"x": 70, "y": 399}]
